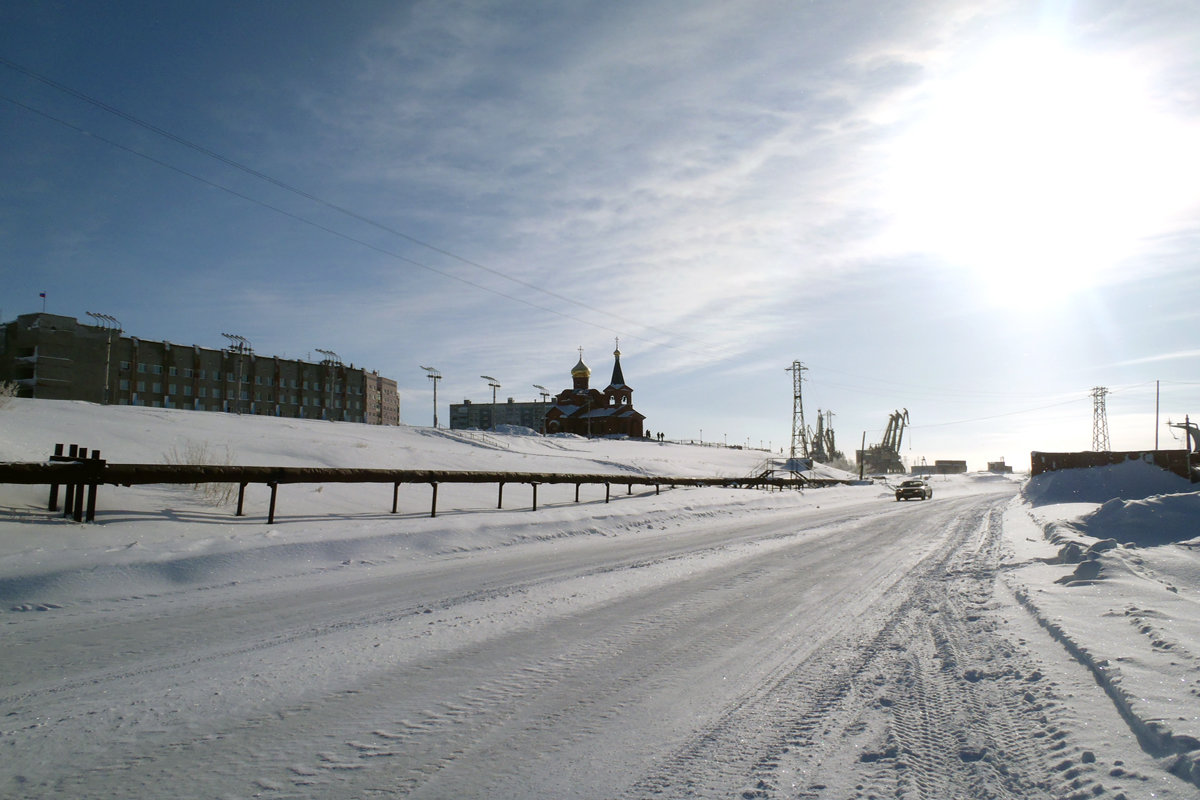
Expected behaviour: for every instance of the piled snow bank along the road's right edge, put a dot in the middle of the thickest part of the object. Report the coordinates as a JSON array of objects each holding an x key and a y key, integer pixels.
[{"x": 1108, "y": 561}]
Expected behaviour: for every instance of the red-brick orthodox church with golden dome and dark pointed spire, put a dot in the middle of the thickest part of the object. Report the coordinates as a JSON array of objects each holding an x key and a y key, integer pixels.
[{"x": 593, "y": 413}]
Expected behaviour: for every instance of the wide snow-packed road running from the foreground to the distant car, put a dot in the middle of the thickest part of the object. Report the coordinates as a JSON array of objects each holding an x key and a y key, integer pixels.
[{"x": 851, "y": 652}]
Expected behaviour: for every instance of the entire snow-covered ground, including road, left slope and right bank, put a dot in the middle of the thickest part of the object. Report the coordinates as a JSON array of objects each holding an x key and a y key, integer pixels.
[{"x": 1009, "y": 639}]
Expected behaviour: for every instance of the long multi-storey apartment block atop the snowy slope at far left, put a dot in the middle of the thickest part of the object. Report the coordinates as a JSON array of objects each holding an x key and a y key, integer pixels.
[{"x": 58, "y": 358}]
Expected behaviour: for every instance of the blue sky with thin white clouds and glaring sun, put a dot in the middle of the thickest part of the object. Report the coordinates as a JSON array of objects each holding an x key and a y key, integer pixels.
[{"x": 974, "y": 212}]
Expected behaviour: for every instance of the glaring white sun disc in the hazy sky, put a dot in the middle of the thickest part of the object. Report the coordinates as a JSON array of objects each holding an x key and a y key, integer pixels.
[{"x": 1037, "y": 170}]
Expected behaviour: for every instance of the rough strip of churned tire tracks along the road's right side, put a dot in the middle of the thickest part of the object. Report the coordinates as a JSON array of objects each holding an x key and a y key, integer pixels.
[{"x": 923, "y": 701}]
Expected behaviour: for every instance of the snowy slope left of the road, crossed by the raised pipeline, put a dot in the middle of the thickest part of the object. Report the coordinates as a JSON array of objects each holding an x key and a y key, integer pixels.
[{"x": 159, "y": 525}]
